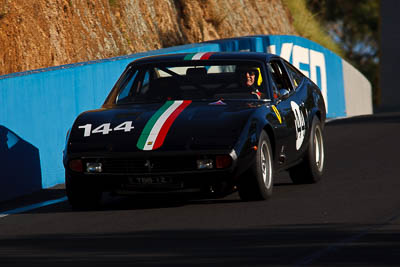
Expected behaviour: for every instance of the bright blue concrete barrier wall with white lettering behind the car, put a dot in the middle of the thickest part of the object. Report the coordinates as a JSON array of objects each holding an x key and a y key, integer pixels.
[{"x": 38, "y": 107}]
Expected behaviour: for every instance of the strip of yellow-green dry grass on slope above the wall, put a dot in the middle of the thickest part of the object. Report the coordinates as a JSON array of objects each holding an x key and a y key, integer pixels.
[{"x": 308, "y": 26}]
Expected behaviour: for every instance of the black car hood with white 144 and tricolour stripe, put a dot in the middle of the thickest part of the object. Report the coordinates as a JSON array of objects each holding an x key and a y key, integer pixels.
[{"x": 193, "y": 126}]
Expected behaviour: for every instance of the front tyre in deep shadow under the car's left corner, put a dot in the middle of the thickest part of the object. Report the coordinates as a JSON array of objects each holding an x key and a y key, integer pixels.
[{"x": 80, "y": 194}]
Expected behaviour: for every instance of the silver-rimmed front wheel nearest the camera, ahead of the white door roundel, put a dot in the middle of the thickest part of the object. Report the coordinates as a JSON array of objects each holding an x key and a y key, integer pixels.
[{"x": 257, "y": 182}]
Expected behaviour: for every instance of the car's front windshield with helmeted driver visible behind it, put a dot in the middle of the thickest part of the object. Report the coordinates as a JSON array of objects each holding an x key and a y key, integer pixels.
[{"x": 183, "y": 81}]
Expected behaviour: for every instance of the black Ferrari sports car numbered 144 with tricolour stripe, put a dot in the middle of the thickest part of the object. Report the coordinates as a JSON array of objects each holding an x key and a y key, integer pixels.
[{"x": 200, "y": 124}]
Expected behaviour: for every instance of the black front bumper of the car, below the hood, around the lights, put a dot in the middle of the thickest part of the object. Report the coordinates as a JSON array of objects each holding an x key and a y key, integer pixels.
[{"x": 156, "y": 172}]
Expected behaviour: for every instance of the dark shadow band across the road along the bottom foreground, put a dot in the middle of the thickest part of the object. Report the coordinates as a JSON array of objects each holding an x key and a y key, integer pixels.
[{"x": 334, "y": 244}]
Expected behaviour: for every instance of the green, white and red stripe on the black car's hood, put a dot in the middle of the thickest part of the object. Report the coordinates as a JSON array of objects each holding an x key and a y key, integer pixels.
[{"x": 157, "y": 127}]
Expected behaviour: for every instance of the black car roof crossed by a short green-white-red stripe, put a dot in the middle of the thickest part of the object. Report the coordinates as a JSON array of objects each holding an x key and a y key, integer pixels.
[{"x": 214, "y": 56}]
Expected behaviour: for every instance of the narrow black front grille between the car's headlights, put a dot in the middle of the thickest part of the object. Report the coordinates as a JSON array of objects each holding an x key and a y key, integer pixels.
[{"x": 152, "y": 165}]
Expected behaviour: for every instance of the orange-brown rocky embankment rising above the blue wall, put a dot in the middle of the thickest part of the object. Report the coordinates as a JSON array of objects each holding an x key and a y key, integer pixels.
[{"x": 42, "y": 33}]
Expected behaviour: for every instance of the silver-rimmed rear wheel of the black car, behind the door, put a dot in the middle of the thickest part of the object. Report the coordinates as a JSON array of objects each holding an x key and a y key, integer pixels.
[{"x": 311, "y": 169}]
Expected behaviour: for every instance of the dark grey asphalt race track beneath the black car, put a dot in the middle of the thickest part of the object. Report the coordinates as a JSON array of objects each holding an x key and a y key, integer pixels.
[{"x": 352, "y": 217}]
